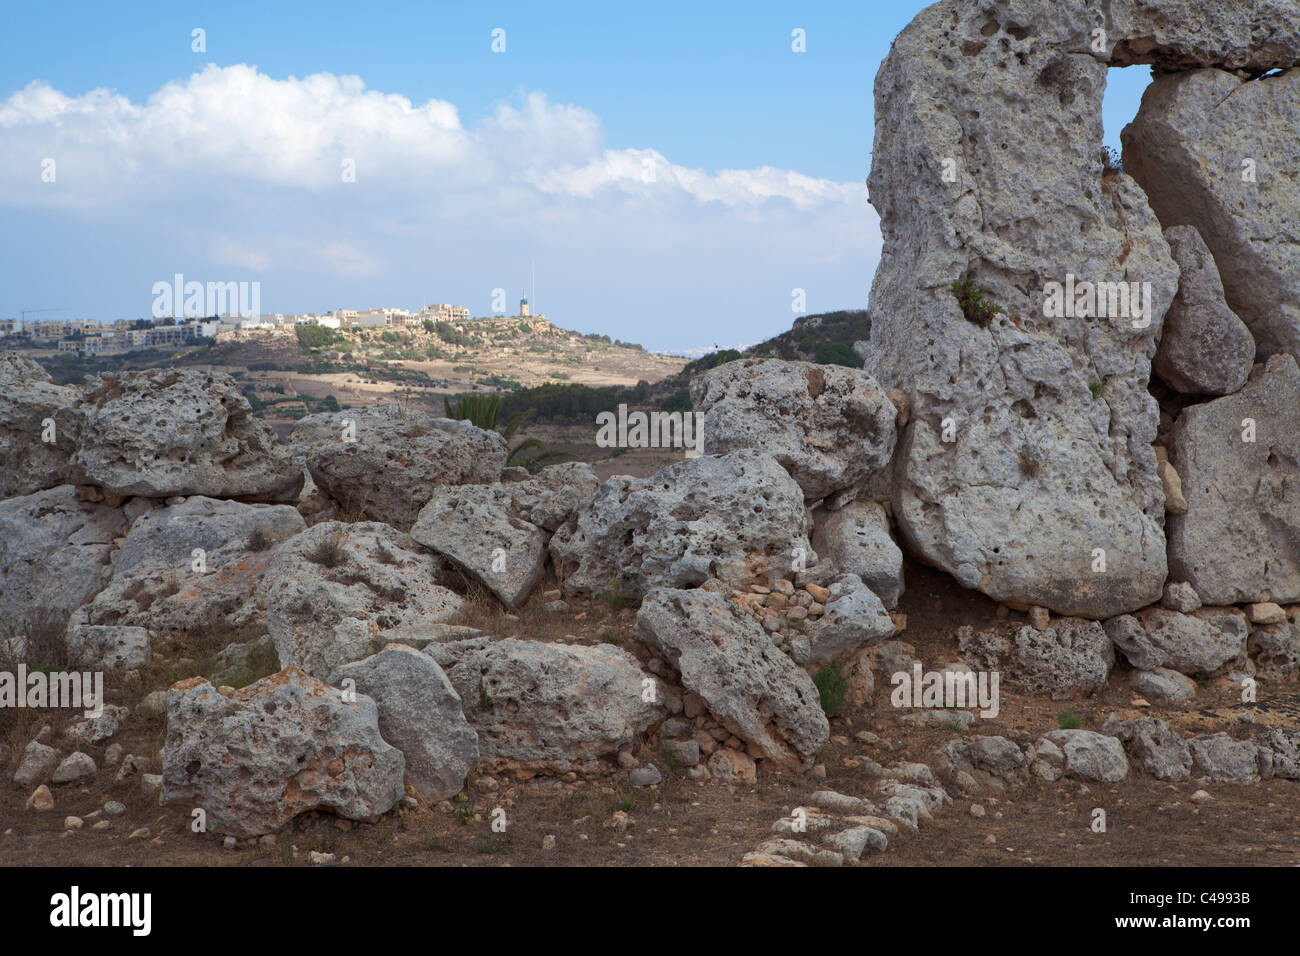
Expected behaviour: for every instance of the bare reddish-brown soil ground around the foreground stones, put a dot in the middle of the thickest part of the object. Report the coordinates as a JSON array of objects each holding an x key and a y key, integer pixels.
[{"x": 687, "y": 824}]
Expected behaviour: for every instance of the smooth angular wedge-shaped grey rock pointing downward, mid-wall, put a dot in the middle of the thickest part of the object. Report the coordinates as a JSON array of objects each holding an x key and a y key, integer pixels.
[{"x": 473, "y": 529}]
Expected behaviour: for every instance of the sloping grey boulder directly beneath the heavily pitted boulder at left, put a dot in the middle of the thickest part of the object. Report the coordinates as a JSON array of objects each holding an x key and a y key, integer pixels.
[{"x": 194, "y": 566}]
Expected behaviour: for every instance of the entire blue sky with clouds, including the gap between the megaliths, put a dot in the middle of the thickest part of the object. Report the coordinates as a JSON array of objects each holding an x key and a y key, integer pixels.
[{"x": 674, "y": 171}]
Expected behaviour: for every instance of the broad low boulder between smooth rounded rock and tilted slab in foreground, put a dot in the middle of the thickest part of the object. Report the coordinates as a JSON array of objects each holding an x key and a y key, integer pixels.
[{"x": 549, "y": 707}]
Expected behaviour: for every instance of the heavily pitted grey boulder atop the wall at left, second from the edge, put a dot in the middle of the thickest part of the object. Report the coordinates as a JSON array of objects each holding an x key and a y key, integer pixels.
[{"x": 176, "y": 432}]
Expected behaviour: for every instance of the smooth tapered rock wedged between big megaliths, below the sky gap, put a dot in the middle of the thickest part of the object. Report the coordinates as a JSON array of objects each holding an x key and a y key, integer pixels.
[{"x": 1206, "y": 349}]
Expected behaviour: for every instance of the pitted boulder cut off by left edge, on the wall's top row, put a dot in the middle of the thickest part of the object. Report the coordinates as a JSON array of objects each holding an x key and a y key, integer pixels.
[{"x": 33, "y": 453}]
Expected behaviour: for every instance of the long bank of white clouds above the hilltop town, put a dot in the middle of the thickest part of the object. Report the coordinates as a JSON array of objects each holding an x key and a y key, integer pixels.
[{"x": 235, "y": 170}]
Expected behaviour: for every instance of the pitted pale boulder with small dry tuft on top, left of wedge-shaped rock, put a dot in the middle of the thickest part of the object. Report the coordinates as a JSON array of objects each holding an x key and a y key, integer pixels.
[{"x": 340, "y": 592}]
